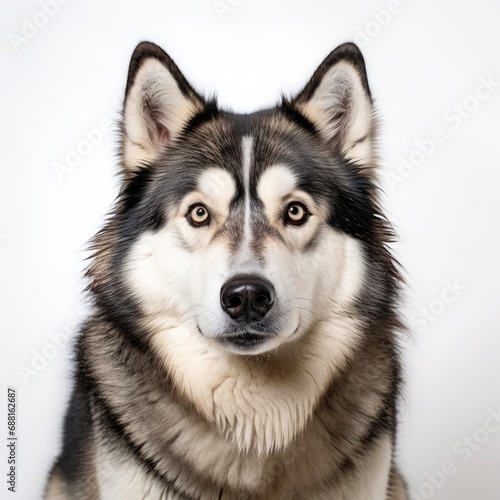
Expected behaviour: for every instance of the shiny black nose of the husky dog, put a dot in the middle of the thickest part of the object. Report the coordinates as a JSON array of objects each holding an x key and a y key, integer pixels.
[{"x": 247, "y": 298}]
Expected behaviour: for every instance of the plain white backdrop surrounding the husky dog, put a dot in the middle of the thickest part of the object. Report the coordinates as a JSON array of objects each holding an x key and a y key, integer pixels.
[{"x": 422, "y": 61}]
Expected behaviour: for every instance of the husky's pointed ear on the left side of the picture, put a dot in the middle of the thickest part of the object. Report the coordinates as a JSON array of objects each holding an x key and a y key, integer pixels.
[{"x": 159, "y": 102}]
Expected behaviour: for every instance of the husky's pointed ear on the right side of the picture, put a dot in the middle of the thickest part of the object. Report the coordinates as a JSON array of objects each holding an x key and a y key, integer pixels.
[{"x": 338, "y": 103}]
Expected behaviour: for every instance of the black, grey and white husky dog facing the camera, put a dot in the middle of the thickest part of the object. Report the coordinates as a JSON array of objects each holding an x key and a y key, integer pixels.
[{"x": 243, "y": 340}]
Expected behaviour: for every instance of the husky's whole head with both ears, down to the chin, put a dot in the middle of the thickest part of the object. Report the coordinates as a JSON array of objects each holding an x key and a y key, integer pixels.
[{"x": 247, "y": 229}]
